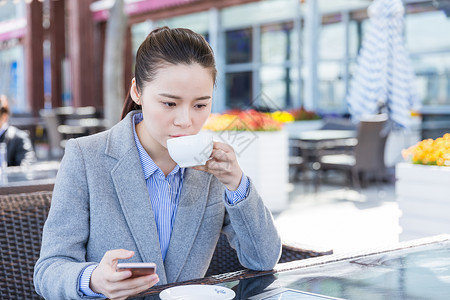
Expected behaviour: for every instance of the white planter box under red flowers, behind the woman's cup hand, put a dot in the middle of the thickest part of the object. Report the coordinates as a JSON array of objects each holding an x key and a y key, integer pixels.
[{"x": 263, "y": 156}]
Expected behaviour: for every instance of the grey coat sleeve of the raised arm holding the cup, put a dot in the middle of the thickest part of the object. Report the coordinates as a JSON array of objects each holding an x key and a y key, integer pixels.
[{"x": 250, "y": 229}]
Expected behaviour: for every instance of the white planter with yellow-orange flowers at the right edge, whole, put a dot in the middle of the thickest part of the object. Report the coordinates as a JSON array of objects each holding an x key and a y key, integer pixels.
[{"x": 423, "y": 188}]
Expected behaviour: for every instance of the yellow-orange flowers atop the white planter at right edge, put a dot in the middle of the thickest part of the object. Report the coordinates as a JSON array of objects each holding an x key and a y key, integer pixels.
[{"x": 430, "y": 152}]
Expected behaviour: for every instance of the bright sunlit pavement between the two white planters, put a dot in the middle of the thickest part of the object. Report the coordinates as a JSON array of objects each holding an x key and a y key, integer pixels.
[{"x": 340, "y": 218}]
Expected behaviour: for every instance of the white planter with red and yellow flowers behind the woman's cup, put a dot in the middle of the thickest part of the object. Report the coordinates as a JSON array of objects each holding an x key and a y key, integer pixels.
[{"x": 261, "y": 147}]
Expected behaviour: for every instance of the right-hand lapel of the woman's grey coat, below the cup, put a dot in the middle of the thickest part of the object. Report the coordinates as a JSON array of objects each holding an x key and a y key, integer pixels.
[{"x": 191, "y": 207}]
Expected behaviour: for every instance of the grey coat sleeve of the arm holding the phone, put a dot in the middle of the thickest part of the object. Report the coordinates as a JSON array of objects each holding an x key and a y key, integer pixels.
[{"x": 66, "y": 231}]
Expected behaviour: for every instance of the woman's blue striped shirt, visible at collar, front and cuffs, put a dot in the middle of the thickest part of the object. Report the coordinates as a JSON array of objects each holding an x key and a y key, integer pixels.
[{"x": 164, "y": 195}]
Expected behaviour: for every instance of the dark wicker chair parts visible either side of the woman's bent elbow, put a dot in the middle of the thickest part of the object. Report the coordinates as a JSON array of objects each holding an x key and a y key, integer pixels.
[{"x": 225, "y": 258}]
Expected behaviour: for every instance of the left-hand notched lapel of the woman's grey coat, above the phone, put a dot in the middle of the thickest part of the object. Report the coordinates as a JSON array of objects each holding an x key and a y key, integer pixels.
[{"x": 132, "y": 192}]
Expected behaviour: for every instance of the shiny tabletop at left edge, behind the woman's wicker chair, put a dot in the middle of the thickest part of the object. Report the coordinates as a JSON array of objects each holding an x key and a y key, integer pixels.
[{"x": 36, "y": 177}]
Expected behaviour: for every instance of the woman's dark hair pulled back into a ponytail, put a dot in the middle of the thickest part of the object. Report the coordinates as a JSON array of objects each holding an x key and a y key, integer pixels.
[{"x": 165, "y": 46}]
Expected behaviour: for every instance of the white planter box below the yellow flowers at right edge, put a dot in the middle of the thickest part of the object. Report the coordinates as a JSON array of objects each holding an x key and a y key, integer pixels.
[{"x": 423, "y": 196}]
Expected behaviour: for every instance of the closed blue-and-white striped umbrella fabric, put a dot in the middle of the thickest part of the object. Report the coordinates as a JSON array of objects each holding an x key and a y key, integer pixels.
[{"x": 384, "y": 75}]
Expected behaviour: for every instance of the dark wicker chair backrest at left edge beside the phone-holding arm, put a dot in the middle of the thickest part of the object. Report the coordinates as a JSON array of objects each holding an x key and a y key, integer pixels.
[{"x": 22, "y": 217}]
